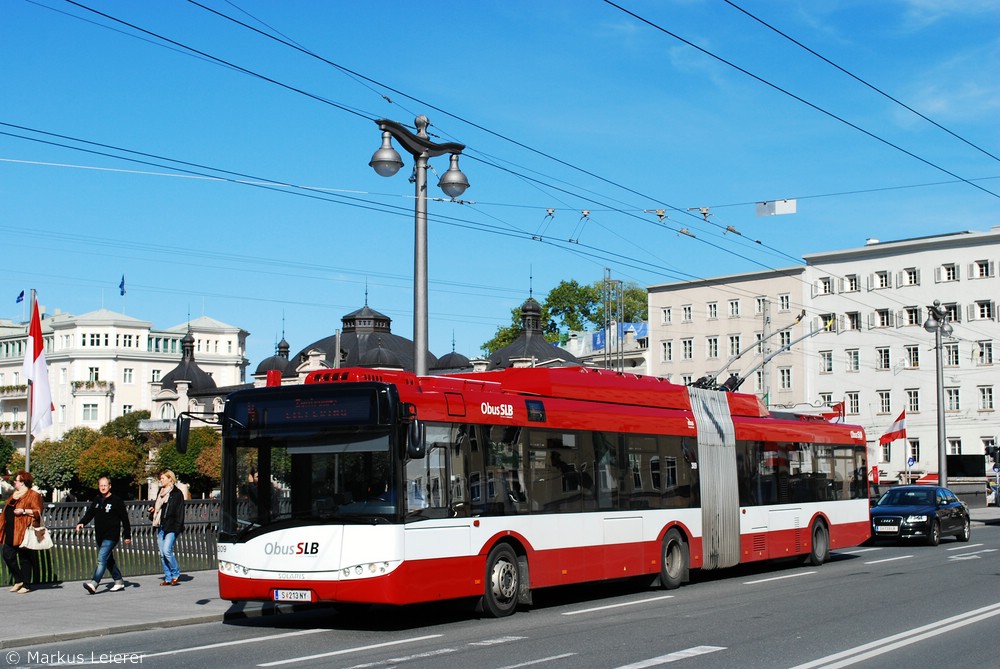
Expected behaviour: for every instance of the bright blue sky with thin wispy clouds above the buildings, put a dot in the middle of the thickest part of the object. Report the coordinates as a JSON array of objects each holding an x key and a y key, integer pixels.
[{"x": 566, "y": 105}]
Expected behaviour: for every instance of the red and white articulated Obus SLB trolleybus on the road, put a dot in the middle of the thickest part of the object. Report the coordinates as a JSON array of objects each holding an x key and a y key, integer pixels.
[{"x": 378, "y": 486}]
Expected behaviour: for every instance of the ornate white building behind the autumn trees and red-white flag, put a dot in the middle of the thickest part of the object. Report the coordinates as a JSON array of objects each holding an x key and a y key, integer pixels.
[{"x": 104, "y": 364}]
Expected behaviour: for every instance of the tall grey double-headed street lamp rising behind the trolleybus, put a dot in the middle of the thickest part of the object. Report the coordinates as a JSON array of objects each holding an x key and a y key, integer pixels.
[{"x": 386, "y": 162}]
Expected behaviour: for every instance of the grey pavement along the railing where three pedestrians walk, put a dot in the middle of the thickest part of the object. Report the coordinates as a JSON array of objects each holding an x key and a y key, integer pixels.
[{"x": 65, "y": 611}]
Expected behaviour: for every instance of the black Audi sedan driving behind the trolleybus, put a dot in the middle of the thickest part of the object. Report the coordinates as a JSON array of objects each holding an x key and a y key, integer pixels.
[{"x": 921, "y": 512}]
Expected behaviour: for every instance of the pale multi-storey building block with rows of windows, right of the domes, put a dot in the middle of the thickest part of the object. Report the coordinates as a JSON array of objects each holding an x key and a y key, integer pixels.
[{"x": 876, "y": 357}]
